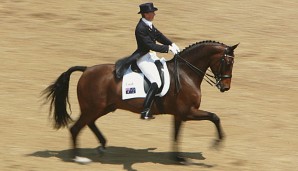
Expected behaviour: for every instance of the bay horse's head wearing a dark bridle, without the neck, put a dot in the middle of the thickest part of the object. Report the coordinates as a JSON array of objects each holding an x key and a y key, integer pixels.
[{"x": 222, "y": 66}]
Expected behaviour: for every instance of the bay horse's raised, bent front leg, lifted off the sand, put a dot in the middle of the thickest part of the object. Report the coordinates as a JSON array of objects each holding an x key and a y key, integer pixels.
[{"x": 196, "y": 114}]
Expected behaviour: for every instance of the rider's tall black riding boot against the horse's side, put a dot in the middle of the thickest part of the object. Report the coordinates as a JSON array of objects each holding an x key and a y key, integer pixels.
[{"x": 145, "y": 114}]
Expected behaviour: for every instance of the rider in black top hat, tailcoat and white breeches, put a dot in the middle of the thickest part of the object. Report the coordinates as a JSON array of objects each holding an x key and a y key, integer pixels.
[{"x": 146, "y": 36}]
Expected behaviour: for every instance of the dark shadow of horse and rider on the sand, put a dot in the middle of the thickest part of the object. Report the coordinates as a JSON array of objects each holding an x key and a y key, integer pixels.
[{"x": 124, "y": 156}]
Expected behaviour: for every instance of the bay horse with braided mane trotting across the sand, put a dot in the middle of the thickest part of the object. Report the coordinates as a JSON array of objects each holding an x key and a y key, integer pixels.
[{"x": 99, "y": 92}]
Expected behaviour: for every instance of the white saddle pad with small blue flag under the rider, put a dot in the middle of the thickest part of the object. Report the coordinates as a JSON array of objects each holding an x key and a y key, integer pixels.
[{"x": 133, "y": 83}]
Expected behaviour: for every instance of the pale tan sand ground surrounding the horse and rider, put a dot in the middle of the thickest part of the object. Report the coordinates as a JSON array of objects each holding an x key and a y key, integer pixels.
[{"x": 41, "y": 39}]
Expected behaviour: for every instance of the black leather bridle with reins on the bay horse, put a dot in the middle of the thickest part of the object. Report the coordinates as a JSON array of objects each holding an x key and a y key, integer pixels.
[{"x": 218, "y": 76}]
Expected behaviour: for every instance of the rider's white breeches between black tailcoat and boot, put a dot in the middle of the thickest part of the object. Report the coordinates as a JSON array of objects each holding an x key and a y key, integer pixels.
[{"x": 148, "y": 67}]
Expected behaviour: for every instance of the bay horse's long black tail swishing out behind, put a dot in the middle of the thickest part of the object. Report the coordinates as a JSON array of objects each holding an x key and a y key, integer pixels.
[{"x": 57, "y": 93}]
